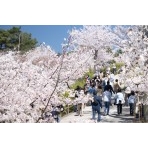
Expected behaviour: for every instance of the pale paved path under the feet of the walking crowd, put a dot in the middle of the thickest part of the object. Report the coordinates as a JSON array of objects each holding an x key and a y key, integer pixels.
[{"x": 112, "y": 118}]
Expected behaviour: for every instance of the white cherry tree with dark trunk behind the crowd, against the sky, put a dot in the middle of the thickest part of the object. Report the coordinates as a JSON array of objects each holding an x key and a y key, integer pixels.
[{"x": 95, "y": 39}]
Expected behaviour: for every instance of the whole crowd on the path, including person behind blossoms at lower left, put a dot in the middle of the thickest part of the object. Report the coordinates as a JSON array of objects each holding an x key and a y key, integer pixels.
[{"x": 103, "y": 90}]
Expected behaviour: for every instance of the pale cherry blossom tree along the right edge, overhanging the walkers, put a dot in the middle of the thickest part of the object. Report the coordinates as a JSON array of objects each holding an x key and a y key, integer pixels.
[{"x": 135, "y": 55}]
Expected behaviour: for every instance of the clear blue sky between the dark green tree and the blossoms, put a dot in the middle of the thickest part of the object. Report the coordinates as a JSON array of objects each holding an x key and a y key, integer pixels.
[{"x": 52, "y": 35}]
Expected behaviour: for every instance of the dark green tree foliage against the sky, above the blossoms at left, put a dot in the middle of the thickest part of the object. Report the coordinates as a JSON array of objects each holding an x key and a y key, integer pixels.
[{"x": 15, "y": 39}]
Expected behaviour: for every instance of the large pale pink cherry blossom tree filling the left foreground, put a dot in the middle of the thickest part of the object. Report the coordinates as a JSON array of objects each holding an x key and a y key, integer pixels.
[{"x": 32, "y": 83}]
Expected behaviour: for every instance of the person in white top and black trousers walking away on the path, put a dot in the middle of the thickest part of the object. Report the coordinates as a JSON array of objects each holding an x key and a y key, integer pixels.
[{"x": 119, "y": 101}]
